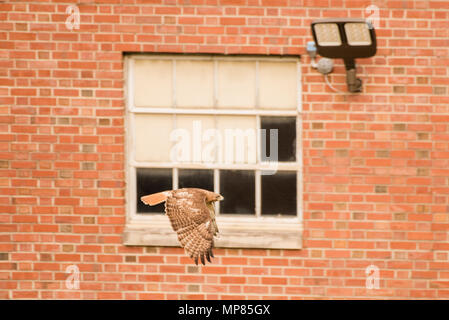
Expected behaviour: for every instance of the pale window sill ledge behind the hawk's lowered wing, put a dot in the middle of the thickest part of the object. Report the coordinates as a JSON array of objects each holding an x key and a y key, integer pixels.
[{"x": 235, "y": 232}]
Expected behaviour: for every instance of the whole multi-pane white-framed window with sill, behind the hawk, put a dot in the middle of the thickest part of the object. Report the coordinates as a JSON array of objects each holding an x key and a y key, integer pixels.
[{"x": 225, "y": 123}]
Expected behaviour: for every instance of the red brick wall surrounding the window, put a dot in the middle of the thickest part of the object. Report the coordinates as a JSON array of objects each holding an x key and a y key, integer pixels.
[{"x": 376, "y": 165}]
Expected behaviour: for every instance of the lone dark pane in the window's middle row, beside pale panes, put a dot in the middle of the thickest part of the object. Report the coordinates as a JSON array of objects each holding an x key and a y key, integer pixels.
[{"x": 286, "y": 127}]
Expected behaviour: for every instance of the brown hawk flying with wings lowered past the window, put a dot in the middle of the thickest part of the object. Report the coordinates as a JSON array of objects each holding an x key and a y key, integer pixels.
[{"x": 192, "y": 217}]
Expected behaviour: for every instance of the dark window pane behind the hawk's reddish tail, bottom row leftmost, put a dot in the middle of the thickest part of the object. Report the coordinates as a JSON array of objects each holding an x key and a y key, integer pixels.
[{"x": 151, "y": 181}]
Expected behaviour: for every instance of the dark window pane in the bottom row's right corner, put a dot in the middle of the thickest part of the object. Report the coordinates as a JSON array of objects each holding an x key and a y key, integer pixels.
[{"x": 279, "y": 193}]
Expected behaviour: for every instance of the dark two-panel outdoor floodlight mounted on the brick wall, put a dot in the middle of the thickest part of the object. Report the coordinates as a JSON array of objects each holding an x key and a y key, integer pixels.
[{"x": 345, "y": 39}]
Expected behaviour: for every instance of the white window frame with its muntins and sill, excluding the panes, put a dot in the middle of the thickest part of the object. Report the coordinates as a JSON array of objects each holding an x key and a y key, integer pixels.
[{"x": 236, "y": 231}]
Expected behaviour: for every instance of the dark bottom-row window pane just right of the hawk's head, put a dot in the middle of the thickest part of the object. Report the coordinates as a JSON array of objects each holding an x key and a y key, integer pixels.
[{"x": 238, "y": 189}]
